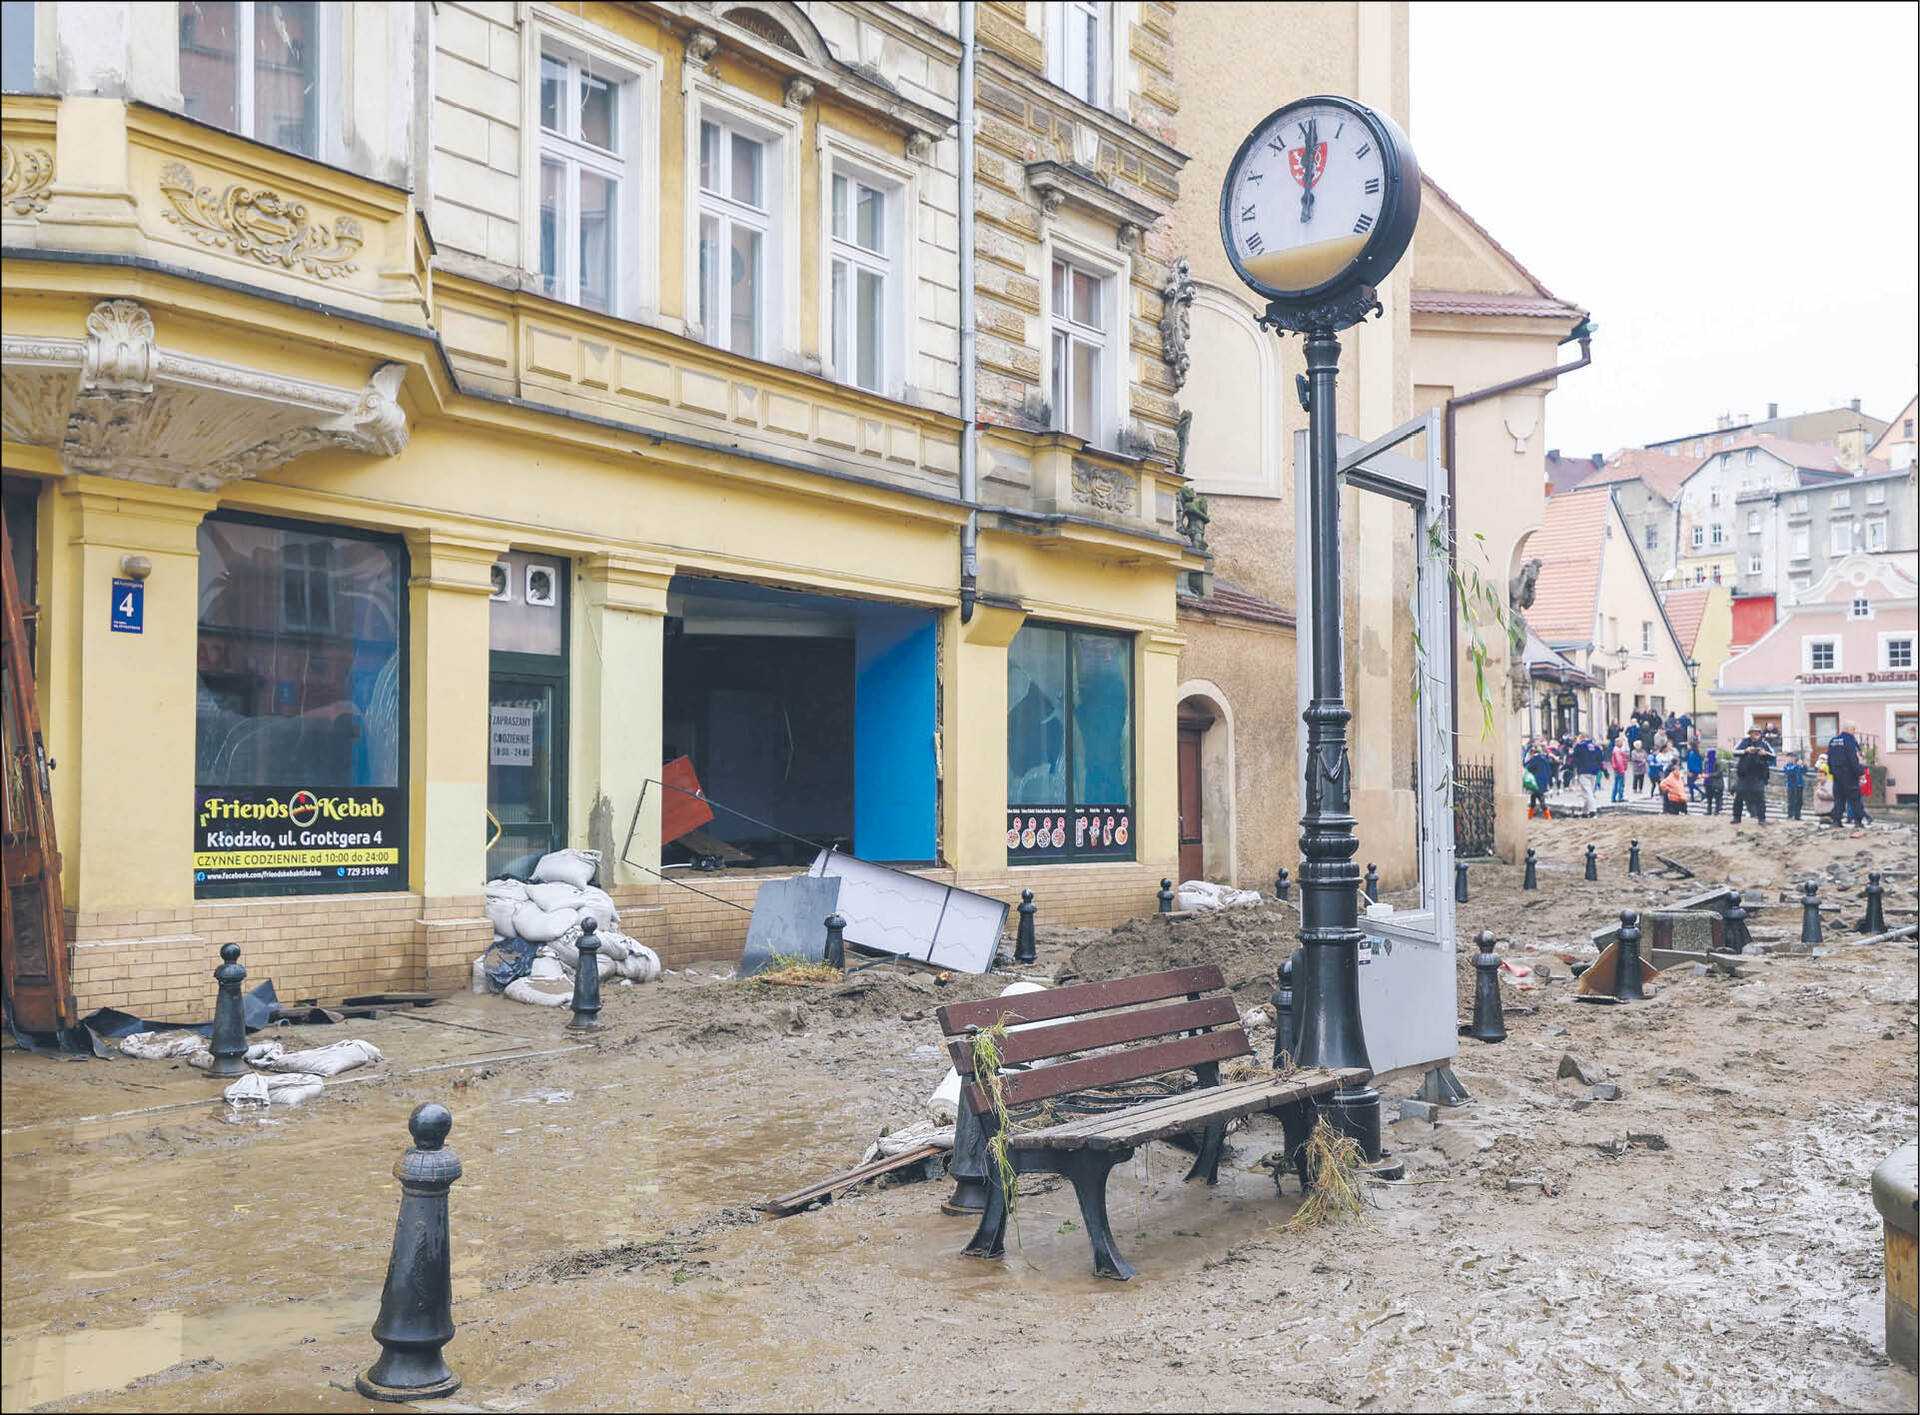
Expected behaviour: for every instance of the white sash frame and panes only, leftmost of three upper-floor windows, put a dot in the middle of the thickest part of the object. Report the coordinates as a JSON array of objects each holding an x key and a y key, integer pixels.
[{"x": 583, "y": 181}]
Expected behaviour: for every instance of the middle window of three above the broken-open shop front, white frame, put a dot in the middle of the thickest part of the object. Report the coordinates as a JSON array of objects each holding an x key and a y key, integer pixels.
[{"x": 736, "y": 231}]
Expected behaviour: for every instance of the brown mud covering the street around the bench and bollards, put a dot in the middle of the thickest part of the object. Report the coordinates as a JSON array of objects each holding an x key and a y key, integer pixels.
[{"x": 1702, "y": 1243}]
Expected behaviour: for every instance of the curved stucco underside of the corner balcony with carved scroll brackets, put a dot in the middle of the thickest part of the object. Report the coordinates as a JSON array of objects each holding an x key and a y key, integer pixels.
[{"x": 120, "y": 404}]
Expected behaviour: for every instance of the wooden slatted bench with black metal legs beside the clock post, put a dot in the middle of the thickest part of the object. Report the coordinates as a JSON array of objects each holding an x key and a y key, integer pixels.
[{"x": 1195, "y": 1026}]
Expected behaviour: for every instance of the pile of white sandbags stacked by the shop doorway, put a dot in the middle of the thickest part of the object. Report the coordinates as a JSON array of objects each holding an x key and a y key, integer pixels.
[{"x": 537, "y": 928}]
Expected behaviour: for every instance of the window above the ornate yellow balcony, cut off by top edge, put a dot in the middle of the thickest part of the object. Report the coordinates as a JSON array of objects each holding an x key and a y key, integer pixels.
[{"x": 254, "y": 70}]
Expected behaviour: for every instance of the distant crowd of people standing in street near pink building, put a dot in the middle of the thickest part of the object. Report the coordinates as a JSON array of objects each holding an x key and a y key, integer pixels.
[{"x": 1654, "y": 755}]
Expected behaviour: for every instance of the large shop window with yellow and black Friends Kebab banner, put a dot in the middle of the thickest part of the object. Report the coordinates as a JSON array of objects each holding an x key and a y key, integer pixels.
[{"x": 302, "y": 707}]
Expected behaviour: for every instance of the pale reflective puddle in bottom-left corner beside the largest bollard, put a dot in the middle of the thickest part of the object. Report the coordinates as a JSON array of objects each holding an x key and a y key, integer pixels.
[{"x": 37, "y": 1368}]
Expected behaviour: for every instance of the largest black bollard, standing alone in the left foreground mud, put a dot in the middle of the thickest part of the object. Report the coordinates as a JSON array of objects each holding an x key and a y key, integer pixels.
[{"x": 418, "y": 1305}]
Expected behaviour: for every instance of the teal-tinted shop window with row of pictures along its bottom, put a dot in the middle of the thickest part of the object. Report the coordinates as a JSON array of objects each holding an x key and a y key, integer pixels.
[{"x": 1068, "y": 746}]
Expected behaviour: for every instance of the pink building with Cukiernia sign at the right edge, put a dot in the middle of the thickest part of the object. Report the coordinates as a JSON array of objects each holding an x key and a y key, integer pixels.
[{"x": 1842, "y": 654}]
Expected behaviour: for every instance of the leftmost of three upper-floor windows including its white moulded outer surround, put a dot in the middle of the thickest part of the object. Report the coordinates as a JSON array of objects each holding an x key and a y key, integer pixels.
[{"x": 588, "y": 147}]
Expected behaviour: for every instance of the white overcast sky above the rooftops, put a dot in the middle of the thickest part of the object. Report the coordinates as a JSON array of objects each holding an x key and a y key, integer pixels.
[{"x": 1731, "y": 189}]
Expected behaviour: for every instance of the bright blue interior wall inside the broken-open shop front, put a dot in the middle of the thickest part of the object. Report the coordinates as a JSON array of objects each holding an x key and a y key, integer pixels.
[{"x": 894, "y": 773}]
